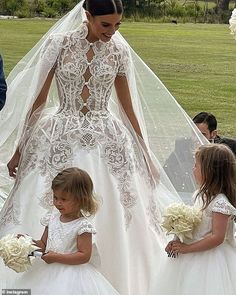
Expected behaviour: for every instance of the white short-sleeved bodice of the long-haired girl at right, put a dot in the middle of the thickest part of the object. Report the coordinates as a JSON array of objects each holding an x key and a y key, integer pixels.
[{"x": 221, "y": 205}]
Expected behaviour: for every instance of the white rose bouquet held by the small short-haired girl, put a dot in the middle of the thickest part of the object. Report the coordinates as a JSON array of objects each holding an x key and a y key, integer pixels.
[{"x": 16, "y": 252}]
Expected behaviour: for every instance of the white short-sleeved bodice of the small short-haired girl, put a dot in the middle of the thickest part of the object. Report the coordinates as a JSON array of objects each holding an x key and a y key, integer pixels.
[{"x": 62, "y": 236}]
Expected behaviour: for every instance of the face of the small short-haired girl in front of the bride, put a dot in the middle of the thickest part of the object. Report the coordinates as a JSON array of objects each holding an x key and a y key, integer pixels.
[{"x": 65, "y": 203}]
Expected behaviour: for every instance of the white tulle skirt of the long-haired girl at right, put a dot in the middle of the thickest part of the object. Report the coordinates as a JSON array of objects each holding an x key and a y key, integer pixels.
[{"x": 207, "y": 273}]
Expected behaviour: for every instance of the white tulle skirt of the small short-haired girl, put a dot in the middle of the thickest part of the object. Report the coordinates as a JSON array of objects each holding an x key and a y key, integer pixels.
[{"x": 60, "y": 279}]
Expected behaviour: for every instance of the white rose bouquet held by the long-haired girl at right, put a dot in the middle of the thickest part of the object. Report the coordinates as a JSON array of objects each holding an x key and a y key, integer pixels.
[{"x": 181, "y": 220}]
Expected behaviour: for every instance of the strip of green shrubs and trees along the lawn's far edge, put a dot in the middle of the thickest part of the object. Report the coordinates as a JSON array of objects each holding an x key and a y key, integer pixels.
[{"x": 166, "y": 10}]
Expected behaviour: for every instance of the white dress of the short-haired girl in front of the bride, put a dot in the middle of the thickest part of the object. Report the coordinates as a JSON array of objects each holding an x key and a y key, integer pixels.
[{"x": 61, "y": 279}]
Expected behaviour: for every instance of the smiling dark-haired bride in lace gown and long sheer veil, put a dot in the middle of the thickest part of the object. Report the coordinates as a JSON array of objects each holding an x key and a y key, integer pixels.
[{"x": 75, "y": 100}]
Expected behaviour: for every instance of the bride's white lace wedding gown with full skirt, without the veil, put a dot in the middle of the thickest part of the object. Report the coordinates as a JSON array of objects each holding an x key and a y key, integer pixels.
[{"x": 84, "y": 133}]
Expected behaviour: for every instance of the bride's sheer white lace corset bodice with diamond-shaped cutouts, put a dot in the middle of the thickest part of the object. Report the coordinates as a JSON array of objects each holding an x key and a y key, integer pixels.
[{"x": 85, "y": 72}]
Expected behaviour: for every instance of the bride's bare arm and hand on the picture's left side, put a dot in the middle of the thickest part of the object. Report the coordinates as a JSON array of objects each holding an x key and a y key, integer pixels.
[{"x": 40, "y": 100}]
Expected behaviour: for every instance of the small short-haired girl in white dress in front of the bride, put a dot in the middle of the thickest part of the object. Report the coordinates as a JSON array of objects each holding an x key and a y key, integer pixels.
[{"x": 67, "y": 243}]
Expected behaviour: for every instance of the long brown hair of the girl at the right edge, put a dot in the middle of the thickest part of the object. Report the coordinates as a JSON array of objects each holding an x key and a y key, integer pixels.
[{"x": 218, "y": 169}]
